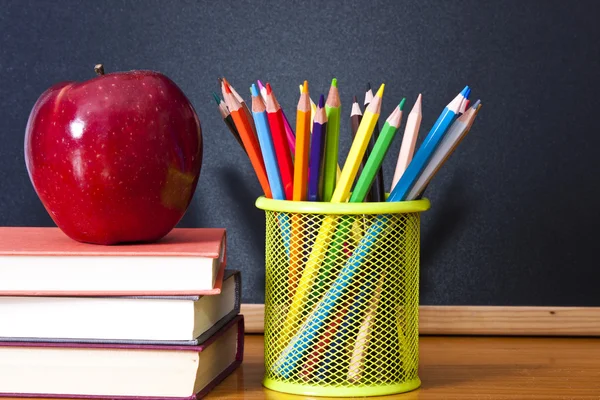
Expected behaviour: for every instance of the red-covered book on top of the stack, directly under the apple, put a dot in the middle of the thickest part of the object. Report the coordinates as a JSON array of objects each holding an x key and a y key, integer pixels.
[{"x": 45, "y": 262}]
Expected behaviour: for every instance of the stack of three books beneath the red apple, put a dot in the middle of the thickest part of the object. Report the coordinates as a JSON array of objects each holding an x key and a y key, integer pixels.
[{"x": 158, "y": 320}]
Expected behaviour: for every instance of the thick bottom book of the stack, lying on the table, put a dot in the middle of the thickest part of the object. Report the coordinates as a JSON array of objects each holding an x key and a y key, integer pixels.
[{"x": 119, "y": 371}]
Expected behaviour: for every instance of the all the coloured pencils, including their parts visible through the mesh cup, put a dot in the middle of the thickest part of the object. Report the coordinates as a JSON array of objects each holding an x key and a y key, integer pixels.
[{"x": 303, "y": 166}]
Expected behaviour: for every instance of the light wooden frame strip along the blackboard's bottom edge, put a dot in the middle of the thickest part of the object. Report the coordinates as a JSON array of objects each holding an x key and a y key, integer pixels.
[{"x": 484, "y": 320}]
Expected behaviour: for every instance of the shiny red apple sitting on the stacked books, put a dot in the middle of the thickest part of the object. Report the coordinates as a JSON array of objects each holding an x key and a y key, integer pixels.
[{"x": 116, "y": 158}]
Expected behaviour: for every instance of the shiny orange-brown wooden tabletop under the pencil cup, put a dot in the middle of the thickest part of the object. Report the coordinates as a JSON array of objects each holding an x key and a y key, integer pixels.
[{"x": 466, "y": 368}]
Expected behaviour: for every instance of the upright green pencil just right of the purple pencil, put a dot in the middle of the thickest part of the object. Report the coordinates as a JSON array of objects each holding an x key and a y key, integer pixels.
[{"x": 333, "y": 107}]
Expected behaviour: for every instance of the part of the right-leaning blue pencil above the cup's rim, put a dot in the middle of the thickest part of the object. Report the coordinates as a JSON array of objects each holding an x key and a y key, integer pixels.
[{"x": 427, "y": 148}]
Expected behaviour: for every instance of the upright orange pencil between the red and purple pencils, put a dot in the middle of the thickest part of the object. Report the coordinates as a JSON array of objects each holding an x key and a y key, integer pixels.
[{"x": 302, "y": 146}]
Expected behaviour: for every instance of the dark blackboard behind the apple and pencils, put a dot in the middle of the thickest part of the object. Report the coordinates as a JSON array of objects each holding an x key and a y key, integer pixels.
[{"x": 514, "y": 218}]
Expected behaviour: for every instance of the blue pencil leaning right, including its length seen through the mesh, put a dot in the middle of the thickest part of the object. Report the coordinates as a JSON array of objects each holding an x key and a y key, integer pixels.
[{"x": 309, "y": 330}]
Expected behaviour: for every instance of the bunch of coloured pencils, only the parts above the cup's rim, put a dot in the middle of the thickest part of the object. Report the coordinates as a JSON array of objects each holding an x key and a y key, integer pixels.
[{"x": 304, "y": 165}]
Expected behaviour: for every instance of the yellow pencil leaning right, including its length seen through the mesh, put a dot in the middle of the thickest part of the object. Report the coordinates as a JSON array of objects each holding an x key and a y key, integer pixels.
[{"x": 340, "y": 194}]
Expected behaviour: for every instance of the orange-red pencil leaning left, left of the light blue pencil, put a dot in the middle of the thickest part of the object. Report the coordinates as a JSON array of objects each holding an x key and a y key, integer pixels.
[{"x": 251, "y": 145}]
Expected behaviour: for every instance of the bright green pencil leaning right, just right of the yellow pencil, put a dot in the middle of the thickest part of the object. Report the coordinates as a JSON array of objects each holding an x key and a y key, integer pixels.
[{"x": 377, "y": 155}]
